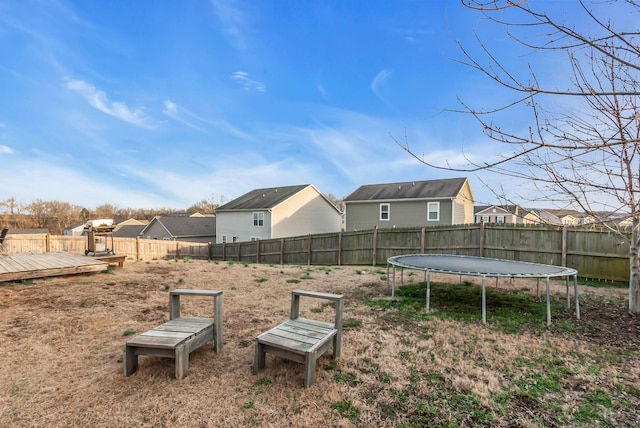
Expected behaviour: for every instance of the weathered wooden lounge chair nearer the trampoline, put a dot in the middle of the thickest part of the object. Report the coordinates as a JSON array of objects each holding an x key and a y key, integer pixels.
[{"x": 302, "y": 340}]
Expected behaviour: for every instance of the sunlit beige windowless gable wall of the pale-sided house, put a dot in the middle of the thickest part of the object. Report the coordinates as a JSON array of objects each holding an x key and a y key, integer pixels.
[{"x": 307, "y": 212}]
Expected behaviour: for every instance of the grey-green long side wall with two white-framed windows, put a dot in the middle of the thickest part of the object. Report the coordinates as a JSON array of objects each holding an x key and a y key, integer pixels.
[{"x": 366, "y": 215}]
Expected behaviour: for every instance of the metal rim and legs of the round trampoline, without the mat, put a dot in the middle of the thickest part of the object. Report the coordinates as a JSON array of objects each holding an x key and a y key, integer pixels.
[{"x": 560, "y": 271}]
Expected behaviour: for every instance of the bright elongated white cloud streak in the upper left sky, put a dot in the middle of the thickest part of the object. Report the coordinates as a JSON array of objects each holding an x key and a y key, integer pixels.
[{"x": 99, "y": 100}]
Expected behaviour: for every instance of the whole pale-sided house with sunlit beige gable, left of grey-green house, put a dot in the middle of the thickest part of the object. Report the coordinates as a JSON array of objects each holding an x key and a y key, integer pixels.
[{"x": 277, "y": 212}]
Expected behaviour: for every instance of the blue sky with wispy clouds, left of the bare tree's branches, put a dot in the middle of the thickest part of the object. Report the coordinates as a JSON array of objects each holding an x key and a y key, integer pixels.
[{"x": 158, "y": 103}]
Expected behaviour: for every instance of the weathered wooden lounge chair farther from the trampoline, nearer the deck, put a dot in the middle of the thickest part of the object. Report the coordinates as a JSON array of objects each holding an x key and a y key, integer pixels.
[{"x": 179, "y": 336}]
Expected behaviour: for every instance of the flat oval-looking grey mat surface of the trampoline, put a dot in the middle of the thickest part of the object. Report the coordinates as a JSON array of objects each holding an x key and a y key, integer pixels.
[{"x": 478, "y": 266}]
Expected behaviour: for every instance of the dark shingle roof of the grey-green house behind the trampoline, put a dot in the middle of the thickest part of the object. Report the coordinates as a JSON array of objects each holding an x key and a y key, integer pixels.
[{"x": 429, "y": 189}]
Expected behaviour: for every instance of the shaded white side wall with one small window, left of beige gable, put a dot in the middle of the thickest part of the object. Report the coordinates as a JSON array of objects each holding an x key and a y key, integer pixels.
[{"x": 240, "y": 224}]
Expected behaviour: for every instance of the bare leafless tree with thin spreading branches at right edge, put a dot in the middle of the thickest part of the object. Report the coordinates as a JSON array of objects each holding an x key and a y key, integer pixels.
[{"x": 582, "y": 148}]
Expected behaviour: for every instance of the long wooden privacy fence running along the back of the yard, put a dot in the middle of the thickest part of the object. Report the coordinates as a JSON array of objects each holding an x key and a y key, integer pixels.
[{"x": 596, "y": 254}]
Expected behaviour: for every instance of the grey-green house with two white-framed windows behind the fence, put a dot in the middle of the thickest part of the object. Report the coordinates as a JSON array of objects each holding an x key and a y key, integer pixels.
[{"x": 409, "y": 204}]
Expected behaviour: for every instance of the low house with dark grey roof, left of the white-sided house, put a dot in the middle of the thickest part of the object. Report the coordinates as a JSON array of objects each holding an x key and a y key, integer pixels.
[{"x": 181, "y": 228}]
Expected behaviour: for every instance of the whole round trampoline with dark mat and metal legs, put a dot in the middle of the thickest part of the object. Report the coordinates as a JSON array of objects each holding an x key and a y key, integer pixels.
[{"x": 484, "y": 267}]
